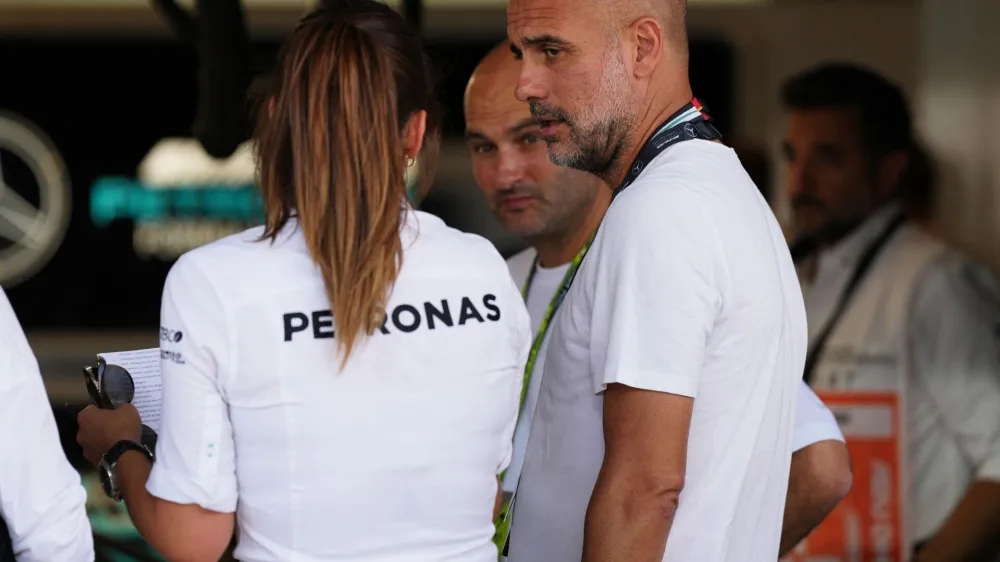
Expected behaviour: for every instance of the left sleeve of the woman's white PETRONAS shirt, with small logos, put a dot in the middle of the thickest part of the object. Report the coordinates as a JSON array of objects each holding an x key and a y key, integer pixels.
[{"x": 195, "y": 453}]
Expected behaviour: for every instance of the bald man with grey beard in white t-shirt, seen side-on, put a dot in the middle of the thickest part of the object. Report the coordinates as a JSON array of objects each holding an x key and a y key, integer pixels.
[{"x": 664, "y": 423}]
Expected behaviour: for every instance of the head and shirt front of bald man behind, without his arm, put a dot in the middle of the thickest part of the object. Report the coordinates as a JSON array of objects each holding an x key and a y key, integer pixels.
[{"x": 554, "y": 209}]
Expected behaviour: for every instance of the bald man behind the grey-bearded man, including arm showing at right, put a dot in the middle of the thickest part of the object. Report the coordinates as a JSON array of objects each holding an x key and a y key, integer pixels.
[{"x": 557, "y": 210}]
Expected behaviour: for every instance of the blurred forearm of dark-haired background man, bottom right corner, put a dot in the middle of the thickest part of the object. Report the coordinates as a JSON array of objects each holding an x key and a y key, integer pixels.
[{"x": 970, "y": 532}]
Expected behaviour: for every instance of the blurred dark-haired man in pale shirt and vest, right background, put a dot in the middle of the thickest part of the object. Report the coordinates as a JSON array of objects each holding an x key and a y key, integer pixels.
[{"x": 894, "y": 315}]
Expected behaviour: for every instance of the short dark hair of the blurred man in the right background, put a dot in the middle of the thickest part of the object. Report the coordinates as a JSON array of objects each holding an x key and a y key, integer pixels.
[{"x": 884, "y": 119}]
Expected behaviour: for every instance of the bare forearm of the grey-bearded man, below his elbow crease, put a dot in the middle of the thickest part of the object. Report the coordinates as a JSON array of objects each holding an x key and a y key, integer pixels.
[{"x": 626, "y": 524}]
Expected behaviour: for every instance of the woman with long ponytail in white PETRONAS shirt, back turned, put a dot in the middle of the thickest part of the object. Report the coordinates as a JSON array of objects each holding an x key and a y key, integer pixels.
[{"x": 345, "y": 378}]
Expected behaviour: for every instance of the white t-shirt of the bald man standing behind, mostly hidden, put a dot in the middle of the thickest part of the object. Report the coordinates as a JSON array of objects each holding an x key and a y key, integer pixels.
[{"x": 814, "y": 422}]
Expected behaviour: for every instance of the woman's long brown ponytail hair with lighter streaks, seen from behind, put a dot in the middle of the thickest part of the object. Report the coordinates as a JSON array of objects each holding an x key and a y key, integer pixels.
[{"x": 330, "y": 150}]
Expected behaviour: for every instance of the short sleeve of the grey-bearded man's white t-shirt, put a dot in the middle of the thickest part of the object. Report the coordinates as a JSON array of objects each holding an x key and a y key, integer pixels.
[{"x": 656, "y": 291}]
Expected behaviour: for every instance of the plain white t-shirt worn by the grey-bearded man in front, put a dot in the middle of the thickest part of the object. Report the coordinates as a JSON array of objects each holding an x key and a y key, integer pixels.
[{"x": 688, "y": 289}]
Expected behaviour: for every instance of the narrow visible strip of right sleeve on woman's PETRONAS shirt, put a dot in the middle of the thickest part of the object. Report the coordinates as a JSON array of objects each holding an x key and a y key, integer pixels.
[{"x": 521, "y": 340}]
